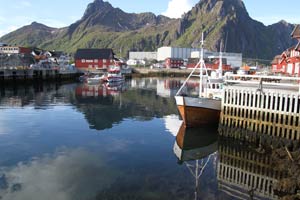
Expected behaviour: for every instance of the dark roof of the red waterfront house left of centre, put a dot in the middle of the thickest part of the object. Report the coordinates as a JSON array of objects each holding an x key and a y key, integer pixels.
[{"x": 94, "y": 54}]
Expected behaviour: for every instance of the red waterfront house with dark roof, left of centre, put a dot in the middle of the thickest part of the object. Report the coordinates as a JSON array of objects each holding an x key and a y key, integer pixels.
[{"x": 94, "y": 59}]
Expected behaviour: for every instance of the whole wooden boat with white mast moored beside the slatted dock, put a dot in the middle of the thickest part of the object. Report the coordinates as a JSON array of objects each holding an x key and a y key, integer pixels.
[{"x": 204, "y": 109}]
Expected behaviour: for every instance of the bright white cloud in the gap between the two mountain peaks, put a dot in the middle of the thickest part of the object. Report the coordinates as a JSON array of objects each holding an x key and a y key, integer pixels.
[{"x": 177, "y": 7}]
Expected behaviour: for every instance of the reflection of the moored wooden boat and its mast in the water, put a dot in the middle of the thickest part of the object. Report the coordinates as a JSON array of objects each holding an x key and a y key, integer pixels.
[{"x": 196, "y": 147}]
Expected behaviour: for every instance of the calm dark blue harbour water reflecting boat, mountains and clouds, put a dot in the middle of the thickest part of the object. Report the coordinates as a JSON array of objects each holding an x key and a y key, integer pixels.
[{"x": 86, "y": 142}]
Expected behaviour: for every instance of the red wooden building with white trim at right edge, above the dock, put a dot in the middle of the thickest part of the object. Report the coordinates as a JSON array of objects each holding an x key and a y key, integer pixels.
[{"x": 289, "y": 61}]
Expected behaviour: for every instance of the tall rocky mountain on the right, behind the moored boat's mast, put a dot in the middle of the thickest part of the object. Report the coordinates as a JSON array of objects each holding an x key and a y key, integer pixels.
[{"x": 228, "y": 21}]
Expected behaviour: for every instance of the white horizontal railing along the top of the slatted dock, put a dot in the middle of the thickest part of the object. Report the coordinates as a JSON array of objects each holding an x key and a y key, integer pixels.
[{"x": 272, "y": 81}]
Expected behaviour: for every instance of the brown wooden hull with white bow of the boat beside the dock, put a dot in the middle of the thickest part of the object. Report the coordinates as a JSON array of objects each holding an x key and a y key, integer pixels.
[{"x": 197, "y": 112}]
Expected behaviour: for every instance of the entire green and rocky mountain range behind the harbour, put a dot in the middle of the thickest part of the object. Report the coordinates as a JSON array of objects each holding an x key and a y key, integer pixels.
[{"x": 104, "y": 26}]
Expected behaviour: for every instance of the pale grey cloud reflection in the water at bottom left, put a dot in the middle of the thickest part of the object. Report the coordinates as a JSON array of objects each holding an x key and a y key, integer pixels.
[{"x": 69, "y": 174}]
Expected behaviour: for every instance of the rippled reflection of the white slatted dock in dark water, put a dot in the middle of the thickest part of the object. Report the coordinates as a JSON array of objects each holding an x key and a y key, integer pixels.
[{"x": 244, "y": 173}]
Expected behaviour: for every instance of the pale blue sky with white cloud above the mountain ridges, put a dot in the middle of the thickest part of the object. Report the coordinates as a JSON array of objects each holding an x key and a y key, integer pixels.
[{"x": 59, "y": 13}]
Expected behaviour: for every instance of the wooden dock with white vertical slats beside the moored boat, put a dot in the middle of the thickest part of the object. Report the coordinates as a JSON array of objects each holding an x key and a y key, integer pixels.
[{"x": 262, "y": 104}]
